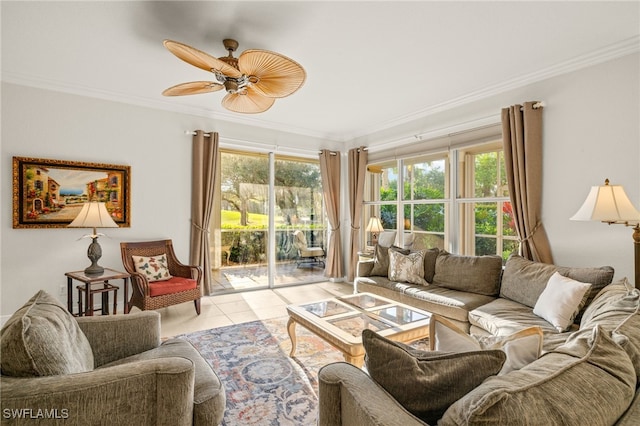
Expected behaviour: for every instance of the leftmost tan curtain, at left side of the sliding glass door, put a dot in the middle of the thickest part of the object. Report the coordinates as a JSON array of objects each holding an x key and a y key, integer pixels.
[{"x": 203, "y": 184}]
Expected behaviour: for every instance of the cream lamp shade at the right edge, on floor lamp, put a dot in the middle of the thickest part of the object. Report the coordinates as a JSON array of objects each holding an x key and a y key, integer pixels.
[{"x": 607, "y": 203}]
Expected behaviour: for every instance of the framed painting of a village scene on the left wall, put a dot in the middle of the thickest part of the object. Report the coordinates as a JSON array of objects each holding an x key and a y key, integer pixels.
[{"x": 50, "y": 193}]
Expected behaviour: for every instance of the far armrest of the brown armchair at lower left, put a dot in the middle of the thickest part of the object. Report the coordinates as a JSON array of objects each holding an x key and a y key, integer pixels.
[{"x": 113, "y": 337}]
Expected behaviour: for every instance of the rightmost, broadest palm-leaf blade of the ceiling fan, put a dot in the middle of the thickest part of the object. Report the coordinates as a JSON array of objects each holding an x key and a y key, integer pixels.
[{"x": 277, "y": 76}]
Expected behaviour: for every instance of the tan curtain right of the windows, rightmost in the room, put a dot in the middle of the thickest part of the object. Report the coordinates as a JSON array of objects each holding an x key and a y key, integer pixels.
[{"x": 522, "y": 139}]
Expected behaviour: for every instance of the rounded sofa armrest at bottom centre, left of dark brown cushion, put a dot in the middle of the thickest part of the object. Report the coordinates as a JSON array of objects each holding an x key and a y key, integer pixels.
[{"x": 349, "y": 396}]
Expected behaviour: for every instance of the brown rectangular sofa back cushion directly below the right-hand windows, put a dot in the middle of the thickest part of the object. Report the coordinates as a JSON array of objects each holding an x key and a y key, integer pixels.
[{"x": 475, "y": 274}]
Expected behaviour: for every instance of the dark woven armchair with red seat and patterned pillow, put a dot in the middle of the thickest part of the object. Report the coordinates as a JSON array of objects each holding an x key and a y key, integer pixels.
[{"x": 157, "y": 277}]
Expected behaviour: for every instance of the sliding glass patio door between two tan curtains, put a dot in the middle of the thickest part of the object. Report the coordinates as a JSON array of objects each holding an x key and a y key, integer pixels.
[{"x": 254, "y": 220}]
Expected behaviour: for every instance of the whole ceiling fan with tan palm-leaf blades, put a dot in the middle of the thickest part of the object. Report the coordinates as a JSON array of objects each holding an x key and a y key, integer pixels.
[{"x": 253, "y": 81}]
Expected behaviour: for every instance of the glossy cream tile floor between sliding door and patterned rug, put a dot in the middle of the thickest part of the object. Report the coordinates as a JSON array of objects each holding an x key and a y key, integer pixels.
[{"x": 228, "y": 309}]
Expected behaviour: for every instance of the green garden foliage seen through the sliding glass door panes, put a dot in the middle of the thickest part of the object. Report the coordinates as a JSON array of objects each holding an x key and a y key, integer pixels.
[{"x": 245, "y": 198}]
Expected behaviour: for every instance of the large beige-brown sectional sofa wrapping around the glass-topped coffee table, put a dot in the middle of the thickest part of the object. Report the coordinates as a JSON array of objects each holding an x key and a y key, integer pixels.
[{"x": 587, "y": 374}]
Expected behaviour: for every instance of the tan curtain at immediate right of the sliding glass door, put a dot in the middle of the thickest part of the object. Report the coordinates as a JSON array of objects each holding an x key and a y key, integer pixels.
[{"x": 330, "y": 172}]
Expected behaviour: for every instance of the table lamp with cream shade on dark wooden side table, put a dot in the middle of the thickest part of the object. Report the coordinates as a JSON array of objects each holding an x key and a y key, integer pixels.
[{"x": 93, "y": 215}]
